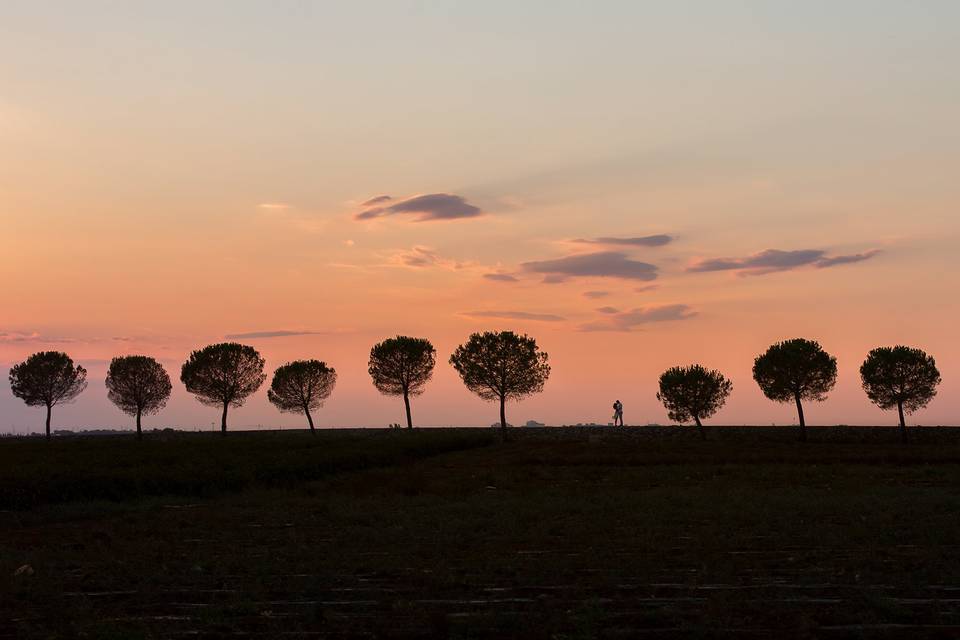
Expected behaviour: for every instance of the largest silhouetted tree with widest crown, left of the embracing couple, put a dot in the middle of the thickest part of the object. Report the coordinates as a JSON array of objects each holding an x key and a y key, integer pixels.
[{"x": 501, "y": 366}]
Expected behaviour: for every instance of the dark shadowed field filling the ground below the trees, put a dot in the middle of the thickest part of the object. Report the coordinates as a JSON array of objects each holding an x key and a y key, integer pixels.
[{"x": 562, "y": 533}]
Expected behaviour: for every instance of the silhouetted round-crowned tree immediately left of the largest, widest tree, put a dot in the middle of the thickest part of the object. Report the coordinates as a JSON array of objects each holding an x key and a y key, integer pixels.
[{"x": 402, "y": 366}]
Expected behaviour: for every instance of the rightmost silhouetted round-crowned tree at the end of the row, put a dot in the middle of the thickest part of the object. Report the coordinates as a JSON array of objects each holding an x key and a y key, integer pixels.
[{"x": 901, "y": 377}]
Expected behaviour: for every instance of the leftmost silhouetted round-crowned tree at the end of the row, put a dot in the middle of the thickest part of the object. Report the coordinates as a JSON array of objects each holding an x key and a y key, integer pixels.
[{"x": 47, "y": 378}]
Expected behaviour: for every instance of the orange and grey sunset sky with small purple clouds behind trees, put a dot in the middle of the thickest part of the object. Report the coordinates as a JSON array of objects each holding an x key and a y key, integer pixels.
[{"x": 636, "y": 185}]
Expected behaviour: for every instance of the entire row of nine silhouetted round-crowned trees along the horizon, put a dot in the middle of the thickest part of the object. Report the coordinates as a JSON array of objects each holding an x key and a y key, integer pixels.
[{"x": 496, "y": 366}]
